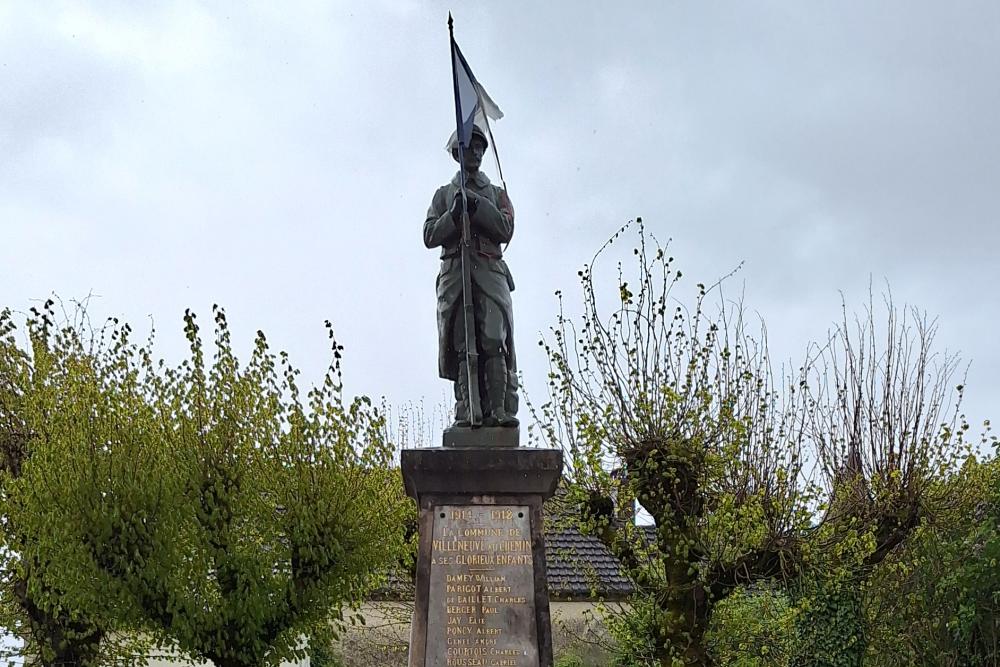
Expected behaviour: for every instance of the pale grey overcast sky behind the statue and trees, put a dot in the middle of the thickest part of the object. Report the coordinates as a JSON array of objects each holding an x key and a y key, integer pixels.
[{"x": 278, "y": 158}]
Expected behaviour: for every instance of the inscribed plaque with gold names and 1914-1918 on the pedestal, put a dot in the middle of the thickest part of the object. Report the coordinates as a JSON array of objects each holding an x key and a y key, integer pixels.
[{"x": 481, "y": 610}]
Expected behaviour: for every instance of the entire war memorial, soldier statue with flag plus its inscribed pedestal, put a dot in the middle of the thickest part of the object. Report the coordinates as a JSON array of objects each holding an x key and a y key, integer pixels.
[{"x": 481, "y": 589}]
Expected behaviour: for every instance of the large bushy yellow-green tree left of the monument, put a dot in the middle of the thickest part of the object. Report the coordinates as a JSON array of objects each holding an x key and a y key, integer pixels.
[{"x": 212, "y": 504}]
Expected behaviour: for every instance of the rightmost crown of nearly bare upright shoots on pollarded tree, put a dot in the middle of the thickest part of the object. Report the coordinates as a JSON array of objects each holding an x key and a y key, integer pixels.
[{"x": 884, "y": 419}]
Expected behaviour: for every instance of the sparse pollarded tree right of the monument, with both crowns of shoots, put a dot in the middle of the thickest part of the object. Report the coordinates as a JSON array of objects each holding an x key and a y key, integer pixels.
[{"x": 679, "y": 410}]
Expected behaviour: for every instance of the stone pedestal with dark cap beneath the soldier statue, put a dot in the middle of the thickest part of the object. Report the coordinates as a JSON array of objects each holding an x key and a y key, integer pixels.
[{"x": 481, "y": 592}]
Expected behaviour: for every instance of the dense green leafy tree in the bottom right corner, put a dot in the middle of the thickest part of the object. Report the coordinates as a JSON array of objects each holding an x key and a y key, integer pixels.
[{"x": 940, "y": 595}]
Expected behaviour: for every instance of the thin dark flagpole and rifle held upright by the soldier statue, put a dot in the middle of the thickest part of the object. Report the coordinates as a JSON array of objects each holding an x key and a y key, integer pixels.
[{"x": 468, "y": 306}]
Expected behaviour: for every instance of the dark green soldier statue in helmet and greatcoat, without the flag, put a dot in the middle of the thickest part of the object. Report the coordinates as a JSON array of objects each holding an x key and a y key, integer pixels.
[{"x": 491, "y": 223}]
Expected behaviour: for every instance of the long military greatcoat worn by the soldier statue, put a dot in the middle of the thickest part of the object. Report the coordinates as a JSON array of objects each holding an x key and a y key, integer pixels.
[{"x": 491, "y": 225}]
